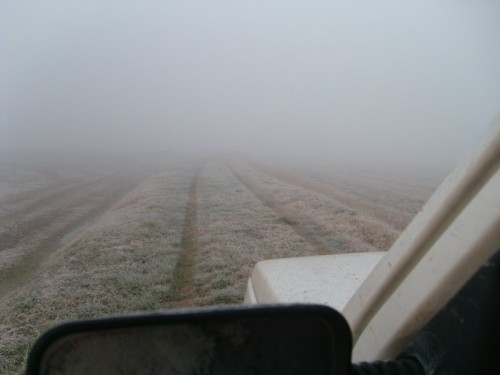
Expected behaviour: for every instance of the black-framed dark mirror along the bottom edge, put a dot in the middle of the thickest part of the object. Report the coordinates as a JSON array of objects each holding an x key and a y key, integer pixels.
[{"x": 295, "y": 339}]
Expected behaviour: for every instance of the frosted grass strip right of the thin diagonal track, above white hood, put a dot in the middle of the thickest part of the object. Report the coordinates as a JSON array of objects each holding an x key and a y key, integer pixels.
[{"x": 337, "y": 227}]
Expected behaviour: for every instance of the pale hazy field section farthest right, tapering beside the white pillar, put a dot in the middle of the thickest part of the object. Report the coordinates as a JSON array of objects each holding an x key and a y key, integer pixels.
[{"x": 389, "y": 195}]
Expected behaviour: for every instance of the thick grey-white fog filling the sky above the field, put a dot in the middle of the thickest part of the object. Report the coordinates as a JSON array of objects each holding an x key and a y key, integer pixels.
[{"x": 413, "y": 82}]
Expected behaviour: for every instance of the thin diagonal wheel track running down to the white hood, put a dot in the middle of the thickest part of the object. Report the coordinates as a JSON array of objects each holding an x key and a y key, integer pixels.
[{"x": 299, "y": 229}]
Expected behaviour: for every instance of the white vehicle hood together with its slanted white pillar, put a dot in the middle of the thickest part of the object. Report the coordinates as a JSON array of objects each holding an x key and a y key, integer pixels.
[{"x": 455, "y": 233}]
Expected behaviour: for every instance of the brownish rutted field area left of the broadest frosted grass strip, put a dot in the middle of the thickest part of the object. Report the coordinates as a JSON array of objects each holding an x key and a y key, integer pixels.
[{"x": 42, "y": 206}]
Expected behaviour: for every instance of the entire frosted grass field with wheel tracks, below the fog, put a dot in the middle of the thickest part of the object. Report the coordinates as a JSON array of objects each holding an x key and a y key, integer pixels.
[{"x": 84, "y": 243}]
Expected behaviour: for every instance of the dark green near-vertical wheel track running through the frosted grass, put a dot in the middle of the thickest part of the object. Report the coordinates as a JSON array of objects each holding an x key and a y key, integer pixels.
[{"x": 183, "y": 289}]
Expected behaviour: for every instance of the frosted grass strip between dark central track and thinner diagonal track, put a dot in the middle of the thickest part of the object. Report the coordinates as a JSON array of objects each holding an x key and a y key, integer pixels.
[{"x": 235, "y": 230}]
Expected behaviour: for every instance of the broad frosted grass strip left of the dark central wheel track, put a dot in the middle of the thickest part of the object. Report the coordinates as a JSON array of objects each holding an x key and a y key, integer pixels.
[{"x": 122, "y": 264}]
